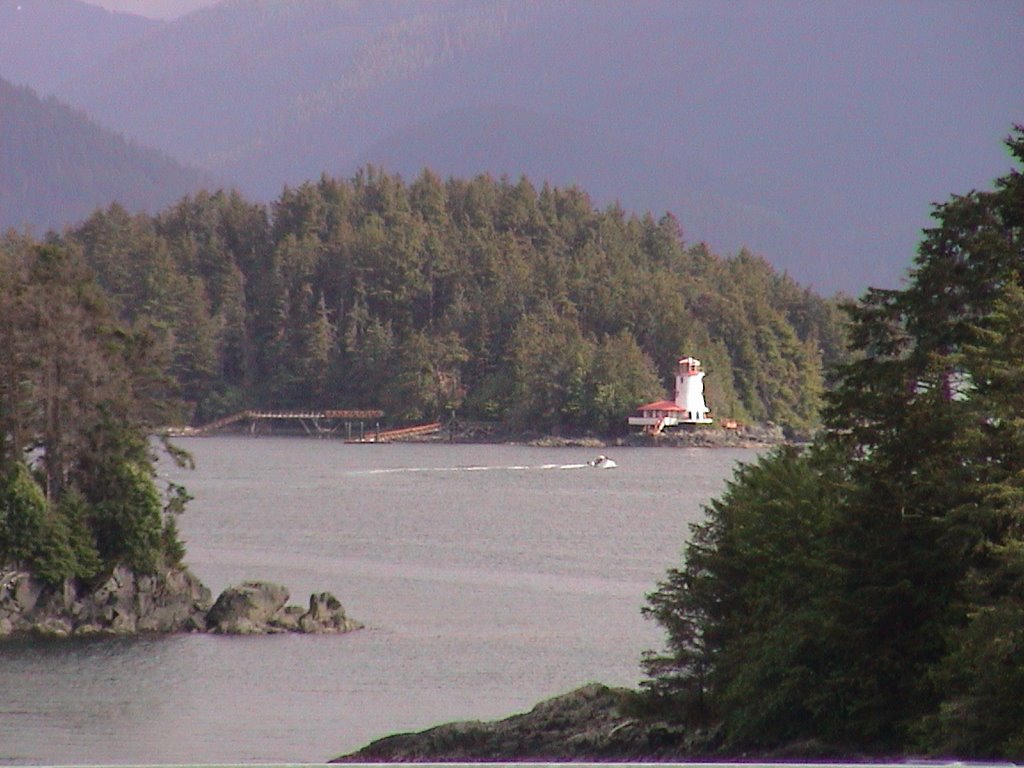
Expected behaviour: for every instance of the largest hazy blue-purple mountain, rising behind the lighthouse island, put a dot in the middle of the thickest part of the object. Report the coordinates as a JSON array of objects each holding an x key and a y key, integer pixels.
[{"x": 817, "y": 135}]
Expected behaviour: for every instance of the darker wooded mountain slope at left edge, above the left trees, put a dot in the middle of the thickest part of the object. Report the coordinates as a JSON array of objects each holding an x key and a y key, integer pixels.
[{"x": 57, "y": 166}]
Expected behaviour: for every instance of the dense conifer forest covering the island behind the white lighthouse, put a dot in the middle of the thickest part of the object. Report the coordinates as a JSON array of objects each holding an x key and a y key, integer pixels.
[{"x": 485, "y": 298}]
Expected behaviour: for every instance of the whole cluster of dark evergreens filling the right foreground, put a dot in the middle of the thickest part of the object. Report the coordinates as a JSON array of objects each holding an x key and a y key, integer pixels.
[{"x": 867, "y": 595}]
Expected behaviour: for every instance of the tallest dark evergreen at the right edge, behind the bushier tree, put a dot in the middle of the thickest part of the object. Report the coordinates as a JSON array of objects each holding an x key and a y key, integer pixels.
[{"x": 920, "y": 413}]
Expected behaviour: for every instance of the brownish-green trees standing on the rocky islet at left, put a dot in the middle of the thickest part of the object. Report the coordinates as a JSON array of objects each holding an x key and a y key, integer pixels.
[{"x": 78, "y": 392}]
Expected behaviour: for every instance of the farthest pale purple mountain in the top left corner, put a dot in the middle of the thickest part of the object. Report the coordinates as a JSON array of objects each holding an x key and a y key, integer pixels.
[{"x": 45, "y": 42}]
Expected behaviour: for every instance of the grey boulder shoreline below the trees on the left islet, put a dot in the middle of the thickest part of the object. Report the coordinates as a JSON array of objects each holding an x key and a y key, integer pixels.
[{"x": 173, "y": 602}]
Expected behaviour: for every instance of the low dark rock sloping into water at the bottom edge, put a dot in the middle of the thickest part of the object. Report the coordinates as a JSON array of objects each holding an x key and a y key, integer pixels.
[{"x": 588, "y": 724}]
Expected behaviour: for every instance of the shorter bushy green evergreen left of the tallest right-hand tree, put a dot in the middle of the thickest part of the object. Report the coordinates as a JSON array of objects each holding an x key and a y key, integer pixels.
[{"x": 747, "y": 616}]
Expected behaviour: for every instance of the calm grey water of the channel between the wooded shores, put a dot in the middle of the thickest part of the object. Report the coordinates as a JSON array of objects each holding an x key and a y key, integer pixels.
[{"x": 489, "y": 578}]
